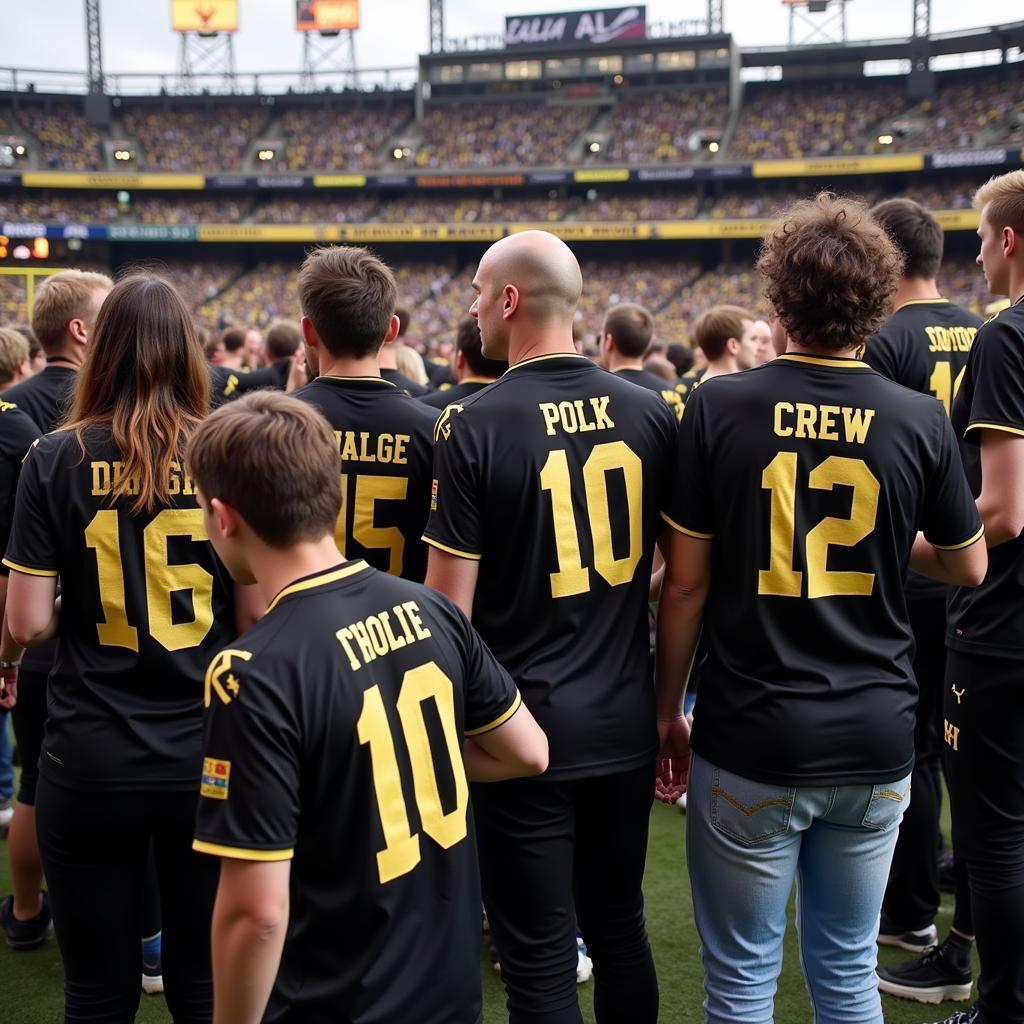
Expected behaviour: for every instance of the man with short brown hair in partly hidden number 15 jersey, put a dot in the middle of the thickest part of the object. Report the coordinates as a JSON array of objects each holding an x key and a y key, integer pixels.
[{"x": 385, "y": 437}]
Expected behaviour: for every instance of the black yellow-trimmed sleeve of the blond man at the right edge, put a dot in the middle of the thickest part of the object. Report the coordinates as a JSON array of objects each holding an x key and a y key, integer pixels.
[{"x": 998, "y": 371}]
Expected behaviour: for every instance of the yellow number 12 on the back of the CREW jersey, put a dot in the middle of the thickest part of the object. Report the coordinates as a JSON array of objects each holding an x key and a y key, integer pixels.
[{"x": 780, "y": 479}]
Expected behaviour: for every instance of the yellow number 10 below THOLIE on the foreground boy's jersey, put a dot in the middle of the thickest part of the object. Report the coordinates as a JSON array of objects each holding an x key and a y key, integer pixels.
[{"x": 402, "y": 846}]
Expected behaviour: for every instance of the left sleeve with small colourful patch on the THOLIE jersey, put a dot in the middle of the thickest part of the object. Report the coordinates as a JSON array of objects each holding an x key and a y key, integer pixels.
[{"x": 249, "y": 805}]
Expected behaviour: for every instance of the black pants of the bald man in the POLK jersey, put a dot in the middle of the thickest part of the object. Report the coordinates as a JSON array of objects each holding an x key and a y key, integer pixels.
[{"x": 552, "y": 854}]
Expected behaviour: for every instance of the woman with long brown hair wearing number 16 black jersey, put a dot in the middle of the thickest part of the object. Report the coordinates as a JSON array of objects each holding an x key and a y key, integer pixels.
[{"x": 105, "y": 504}]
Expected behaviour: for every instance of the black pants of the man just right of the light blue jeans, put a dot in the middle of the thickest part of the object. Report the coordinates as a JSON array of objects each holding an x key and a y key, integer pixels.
[{"x": 913, "y": 895}]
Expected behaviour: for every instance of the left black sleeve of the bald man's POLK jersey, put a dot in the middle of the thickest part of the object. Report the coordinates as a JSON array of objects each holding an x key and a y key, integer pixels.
[{"x": 456, "y": 523}]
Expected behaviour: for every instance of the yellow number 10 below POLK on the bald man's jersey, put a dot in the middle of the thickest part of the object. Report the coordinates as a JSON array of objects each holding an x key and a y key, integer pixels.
[{"x": 573, "y": 577}]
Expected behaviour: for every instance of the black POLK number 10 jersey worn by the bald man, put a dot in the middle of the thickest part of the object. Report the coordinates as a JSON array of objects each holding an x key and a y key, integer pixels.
[{"x": 553, "y": 478}]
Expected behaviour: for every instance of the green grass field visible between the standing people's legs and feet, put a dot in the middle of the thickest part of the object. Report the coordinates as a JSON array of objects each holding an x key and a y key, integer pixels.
[{"x": 31, "y": 984}]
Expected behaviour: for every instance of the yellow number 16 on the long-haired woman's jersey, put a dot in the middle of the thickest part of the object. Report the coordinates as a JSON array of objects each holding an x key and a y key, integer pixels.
[{"x": 162, "y": 579}]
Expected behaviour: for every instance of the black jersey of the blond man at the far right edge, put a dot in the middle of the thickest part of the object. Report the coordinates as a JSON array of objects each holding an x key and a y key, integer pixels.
[{"x": 990, "y": 619}]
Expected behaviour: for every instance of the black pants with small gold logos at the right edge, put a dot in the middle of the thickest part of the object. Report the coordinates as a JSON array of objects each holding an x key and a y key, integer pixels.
[{"x": 985, "y": 749}]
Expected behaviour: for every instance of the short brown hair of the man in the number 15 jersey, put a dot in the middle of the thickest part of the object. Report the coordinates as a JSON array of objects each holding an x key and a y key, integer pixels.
[{"x": 350, "y": 295}]
